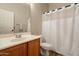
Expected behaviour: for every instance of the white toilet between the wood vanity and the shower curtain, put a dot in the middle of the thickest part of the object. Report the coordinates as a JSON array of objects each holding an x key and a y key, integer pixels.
[{"x": 45, "y": 48}]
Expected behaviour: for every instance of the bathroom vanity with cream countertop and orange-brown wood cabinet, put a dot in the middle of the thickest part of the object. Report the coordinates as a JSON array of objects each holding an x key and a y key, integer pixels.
[{"x": 28, "y": 45}]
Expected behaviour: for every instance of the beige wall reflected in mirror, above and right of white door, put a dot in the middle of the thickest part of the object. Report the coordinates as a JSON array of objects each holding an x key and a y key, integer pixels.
[{"x": 21, "y": 11}]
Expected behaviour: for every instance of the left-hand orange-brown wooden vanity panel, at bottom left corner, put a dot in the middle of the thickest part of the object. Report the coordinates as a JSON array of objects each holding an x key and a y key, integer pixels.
[{"x": 19, "y": 50}]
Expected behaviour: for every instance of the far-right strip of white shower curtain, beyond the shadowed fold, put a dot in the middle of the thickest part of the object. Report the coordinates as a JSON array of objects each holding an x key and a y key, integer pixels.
[{"x": 75, "y": 46}]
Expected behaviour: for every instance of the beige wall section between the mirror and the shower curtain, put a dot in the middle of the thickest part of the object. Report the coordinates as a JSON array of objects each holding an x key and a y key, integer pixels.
[{"x": 36, "y": 17}]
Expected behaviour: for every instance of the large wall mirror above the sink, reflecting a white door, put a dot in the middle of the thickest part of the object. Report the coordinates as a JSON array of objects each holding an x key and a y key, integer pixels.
[{"x": 14, "y": 18}]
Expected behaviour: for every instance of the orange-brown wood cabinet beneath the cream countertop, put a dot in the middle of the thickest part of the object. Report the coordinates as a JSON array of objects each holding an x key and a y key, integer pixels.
[{"x": 31, "y": 48}]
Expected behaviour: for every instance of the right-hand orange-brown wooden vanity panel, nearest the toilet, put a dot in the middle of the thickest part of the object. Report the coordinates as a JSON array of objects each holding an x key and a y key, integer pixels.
[{"x": 34, "y": 48}]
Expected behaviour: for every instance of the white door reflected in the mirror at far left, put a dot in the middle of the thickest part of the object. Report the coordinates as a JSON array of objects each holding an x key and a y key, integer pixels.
[{"x": 6, "y": 21}]
